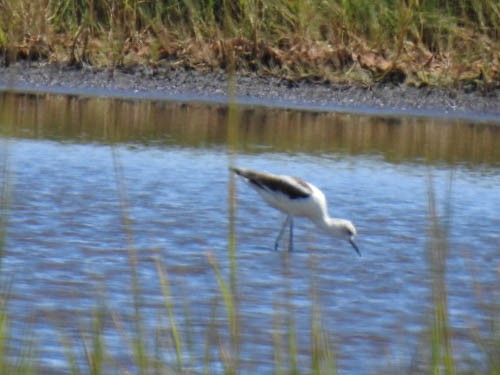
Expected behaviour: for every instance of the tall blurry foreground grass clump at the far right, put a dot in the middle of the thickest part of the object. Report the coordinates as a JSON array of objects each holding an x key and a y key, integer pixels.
[{"x": 441, "y": 356}]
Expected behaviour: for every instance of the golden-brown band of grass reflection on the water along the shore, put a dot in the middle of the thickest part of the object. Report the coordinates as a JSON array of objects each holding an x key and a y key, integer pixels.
[{"x": 89, "y": 119}]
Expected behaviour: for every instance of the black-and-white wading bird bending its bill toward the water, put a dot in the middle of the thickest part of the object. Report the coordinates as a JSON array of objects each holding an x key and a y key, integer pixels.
[{"x": 296, "y": 197}]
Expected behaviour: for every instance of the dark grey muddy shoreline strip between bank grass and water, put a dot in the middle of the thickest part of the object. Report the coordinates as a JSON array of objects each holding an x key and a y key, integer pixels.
[{"x": 180, "y": 84}]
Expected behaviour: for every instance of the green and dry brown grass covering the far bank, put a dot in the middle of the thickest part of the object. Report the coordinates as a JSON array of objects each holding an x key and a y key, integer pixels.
[{"x": 420, "y": 42}]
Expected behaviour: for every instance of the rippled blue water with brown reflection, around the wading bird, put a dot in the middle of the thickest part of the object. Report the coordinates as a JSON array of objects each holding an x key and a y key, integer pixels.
[{"x": 94, "y": 185}]
